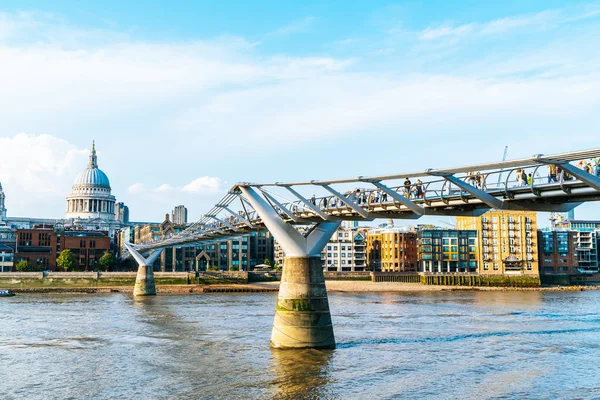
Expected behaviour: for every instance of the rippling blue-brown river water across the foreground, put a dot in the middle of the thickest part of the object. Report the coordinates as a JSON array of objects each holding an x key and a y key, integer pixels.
[{"x": 459, "y": 345}]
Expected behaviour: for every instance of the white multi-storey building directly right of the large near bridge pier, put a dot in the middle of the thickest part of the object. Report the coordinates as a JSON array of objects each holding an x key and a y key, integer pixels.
[{"x": 346, "y": 251}]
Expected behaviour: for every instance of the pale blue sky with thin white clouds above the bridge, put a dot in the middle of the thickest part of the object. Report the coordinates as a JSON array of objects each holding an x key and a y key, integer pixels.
[{"x": 184, "y": 98}]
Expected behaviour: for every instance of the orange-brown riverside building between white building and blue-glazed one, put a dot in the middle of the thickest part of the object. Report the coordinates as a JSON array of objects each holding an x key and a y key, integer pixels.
[{"x": 392, "y": 250}]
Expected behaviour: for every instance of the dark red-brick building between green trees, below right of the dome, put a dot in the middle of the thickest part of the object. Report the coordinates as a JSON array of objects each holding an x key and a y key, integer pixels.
[{"x": 87, "y": 247}]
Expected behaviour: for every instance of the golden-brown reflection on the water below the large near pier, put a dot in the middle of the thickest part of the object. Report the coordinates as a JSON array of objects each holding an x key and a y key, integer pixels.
[{"x": 301, "y": 373}]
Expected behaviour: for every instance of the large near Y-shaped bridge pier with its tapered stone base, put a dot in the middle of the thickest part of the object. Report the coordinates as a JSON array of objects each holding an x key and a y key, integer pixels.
[{"x": 302, "y": 316}]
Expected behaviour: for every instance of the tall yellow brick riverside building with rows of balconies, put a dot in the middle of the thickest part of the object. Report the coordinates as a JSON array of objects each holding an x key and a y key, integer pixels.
[{"x": 508, "y": 241}]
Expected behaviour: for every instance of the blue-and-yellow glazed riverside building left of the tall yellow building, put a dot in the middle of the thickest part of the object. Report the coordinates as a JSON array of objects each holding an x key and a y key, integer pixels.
[{"x": 447, "y": 250}]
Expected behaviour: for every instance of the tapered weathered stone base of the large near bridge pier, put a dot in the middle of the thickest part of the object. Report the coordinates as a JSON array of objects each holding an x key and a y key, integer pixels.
[{"x": 302, "y": 317}]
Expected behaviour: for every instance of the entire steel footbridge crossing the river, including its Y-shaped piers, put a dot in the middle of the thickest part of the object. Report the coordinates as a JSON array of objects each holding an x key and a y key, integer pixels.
[{"x": 558, "y": 183}]
